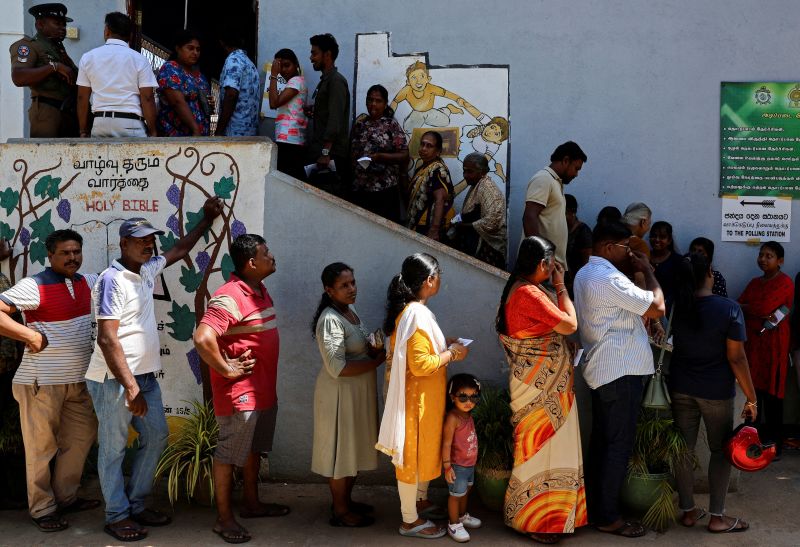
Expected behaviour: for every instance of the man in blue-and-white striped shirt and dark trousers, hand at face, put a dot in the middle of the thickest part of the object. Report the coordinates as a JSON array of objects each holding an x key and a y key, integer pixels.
[{"x": 616, "y": 361}]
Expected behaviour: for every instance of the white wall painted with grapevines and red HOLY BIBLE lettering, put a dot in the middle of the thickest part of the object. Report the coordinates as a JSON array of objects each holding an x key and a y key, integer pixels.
[{"x": 91, "y": 188}]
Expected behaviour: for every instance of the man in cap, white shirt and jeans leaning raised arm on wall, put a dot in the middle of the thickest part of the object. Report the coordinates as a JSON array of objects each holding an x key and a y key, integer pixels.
[{"x": 121, "y": 376}]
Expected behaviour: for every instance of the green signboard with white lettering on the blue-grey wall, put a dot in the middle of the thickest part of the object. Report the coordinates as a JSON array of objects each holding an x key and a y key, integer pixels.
[{"x": 760, "y": 139}]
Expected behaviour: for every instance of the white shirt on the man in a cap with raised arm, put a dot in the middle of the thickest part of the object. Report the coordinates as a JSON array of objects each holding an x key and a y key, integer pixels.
[{"x": 128, "y": 297}]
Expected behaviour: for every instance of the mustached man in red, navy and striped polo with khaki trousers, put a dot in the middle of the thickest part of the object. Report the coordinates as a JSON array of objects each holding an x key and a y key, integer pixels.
[{"x": 55, "y": 408}]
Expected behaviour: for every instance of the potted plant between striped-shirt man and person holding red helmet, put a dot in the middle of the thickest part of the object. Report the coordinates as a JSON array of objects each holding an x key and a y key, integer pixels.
[{"x": 658, "y": 448}]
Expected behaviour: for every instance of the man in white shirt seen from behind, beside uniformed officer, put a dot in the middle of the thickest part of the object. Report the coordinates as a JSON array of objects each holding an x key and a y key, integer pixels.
[{"x": 120, "y": 83}]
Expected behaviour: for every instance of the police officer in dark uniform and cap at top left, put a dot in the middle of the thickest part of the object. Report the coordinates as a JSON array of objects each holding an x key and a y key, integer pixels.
[{"x": 42, "y": 64}]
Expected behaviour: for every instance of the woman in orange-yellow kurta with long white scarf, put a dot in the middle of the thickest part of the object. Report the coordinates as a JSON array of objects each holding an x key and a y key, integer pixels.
[{"x": 411, "y": 427}]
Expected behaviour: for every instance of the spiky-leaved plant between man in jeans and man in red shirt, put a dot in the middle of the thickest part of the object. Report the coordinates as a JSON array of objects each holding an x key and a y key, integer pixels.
[{"x": 189, "y": 458}]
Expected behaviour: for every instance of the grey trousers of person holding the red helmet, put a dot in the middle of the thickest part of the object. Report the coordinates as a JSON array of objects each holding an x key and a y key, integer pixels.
[{"x": 718, "y": 418}]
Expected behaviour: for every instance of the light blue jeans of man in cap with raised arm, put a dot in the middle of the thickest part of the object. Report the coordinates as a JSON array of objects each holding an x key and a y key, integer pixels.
[{"x": 112, "y": 435}]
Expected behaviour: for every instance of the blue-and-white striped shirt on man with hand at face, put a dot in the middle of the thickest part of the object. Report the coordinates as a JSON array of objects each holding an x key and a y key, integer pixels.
[{"x": 610, "y": 309}]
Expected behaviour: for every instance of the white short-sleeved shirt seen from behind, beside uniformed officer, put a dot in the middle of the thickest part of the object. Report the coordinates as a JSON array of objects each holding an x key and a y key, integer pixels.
[{"x": 115, "y": 73}]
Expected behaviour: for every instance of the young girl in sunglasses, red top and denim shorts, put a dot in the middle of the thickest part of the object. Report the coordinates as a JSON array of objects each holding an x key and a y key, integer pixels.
[{"x": 460, "y": 452}]
